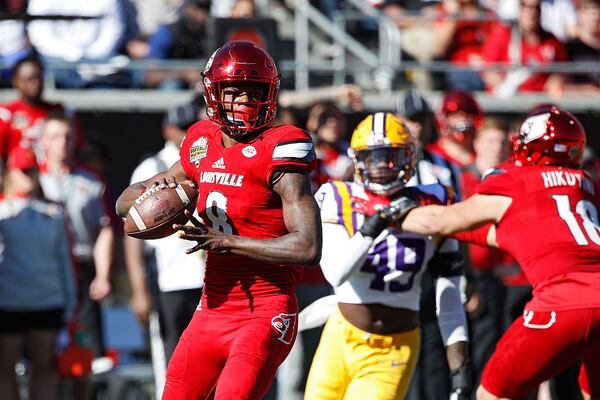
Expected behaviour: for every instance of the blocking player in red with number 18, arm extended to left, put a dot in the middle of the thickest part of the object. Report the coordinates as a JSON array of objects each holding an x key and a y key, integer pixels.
[{"x": 542, "y": 208}]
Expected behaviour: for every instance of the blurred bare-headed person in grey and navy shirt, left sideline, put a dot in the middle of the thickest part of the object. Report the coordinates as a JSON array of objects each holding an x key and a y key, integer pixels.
[{"x": 82, "y": 193}]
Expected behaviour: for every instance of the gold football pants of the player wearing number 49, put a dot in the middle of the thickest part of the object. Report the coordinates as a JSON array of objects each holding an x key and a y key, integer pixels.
[{"x": 352, "y": 364}]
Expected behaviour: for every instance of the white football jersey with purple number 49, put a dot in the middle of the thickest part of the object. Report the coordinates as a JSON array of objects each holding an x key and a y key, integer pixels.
[{"x": 391, "y": 274}]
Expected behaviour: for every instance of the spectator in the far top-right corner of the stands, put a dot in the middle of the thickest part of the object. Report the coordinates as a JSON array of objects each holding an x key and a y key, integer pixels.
[{"x": 586, "y": 45}]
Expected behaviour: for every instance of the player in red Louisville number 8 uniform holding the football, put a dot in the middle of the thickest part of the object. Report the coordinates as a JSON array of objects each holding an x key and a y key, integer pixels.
[{"x": 260, "y": 225}]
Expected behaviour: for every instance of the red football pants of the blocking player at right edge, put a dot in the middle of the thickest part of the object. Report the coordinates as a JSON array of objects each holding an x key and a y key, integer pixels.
[{"x": 539, "y": 346}]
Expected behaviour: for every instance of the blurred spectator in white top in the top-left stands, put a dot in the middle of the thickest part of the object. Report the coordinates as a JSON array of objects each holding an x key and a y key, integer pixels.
[{"x": 98, "y": 38}]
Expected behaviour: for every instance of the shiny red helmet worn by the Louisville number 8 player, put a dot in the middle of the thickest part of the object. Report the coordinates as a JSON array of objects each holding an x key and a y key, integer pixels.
[{"x": 240, "y": 62}]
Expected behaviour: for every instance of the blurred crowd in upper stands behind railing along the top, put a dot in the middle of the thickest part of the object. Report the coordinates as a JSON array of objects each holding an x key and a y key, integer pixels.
[{"x": 492, "y": 45}]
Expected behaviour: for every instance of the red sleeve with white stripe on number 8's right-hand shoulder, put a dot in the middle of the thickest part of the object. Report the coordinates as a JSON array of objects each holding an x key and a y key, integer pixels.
[{"x": 294, "y": 150}]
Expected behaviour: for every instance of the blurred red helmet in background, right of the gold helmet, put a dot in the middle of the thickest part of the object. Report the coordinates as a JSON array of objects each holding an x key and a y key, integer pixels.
[{"x": 459, "y": 101}]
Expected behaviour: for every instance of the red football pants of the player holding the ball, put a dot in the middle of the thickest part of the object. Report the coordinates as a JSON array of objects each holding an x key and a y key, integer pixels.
[{"x": 232, "y": 352}]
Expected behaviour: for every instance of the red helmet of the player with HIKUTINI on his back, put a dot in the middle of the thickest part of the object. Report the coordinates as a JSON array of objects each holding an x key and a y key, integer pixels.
[{"x": 549, "y": 136}]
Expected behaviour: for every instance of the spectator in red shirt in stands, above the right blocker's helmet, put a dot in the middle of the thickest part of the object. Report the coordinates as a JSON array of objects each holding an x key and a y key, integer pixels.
[{"x": 535, "y": 47}]
